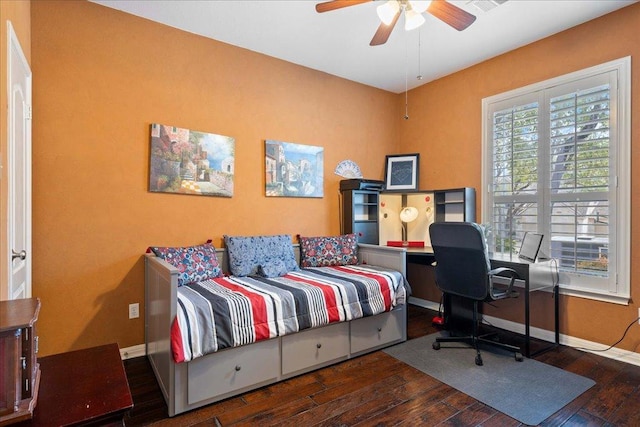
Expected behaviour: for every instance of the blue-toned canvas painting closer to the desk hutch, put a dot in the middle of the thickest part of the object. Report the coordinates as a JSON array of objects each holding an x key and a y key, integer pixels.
[{"x": 293, "y": 170}]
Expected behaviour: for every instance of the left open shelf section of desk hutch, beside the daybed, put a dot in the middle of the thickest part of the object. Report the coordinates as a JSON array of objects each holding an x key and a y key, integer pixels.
[{"x": 360, "y": 214}]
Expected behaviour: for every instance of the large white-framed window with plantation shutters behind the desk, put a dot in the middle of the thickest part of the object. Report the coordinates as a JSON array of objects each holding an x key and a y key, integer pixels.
[{"x": 557, "y": 162}]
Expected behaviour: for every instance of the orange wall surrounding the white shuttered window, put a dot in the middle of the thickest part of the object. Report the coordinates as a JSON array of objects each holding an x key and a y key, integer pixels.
[{"x": 451, "y": 152}]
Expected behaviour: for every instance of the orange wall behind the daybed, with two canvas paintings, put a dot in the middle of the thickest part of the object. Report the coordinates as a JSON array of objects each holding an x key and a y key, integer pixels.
[{"x": 101, "y": 77}]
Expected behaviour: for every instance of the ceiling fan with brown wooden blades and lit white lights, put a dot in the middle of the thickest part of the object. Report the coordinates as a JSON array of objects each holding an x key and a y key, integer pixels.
[{"x": 389, "y": 12}]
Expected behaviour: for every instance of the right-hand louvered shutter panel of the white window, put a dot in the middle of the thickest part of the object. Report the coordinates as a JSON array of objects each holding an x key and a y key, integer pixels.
[{"x": 580, "y": 176}]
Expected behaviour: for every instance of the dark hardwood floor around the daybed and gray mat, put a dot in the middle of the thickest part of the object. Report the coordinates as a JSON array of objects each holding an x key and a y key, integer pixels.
[{"x": 378, "y": 390}]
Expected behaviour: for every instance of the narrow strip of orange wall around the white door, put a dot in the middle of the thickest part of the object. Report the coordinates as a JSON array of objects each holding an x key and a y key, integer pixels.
[{"x": 18, "y": 12}]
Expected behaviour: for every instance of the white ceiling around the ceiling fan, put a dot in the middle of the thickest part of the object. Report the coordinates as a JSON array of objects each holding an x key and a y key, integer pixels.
[{"x": 337, "y": 42}]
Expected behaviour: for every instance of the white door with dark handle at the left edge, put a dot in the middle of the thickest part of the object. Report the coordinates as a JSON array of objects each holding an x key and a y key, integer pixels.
[{"x": 19, "y": 169}]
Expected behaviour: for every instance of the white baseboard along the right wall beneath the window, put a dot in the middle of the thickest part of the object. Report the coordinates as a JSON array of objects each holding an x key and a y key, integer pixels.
[{"x": 543, "y": 334}]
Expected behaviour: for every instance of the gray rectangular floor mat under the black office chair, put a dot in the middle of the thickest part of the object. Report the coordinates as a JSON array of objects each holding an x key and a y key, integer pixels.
[{"x": 529, "y": 391}]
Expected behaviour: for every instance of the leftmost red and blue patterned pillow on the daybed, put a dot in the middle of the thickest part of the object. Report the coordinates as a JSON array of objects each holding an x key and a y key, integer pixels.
[{"x": 195, "y": 263}]
